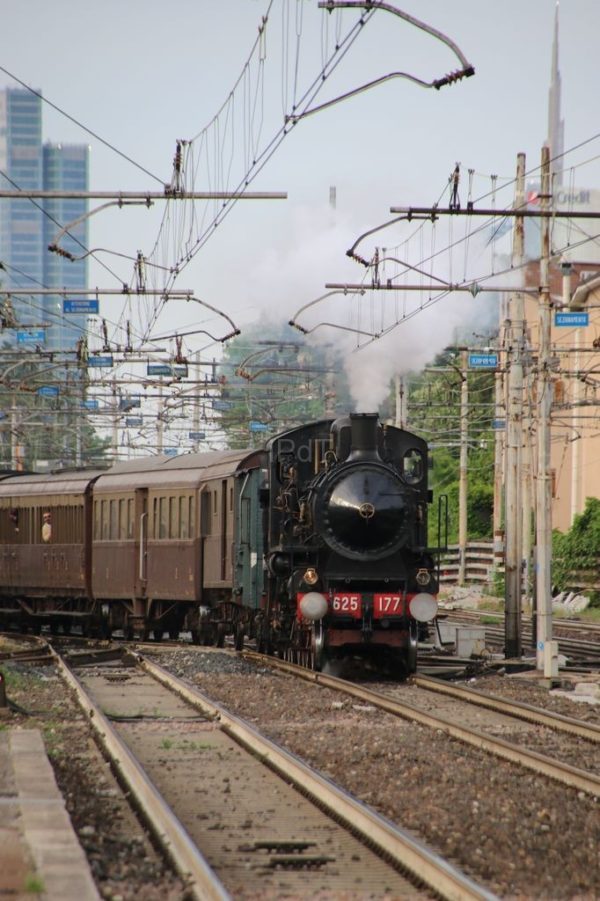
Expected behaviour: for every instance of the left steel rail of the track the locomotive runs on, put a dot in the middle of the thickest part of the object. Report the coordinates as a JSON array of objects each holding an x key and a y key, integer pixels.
[{"x": 531, "y": 760}]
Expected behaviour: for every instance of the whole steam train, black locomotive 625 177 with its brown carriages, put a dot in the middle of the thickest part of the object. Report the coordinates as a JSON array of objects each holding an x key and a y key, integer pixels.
[{"x": 315, "y": 545}]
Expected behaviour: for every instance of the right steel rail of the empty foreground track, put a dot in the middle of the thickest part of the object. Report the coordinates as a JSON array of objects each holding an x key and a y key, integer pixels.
[{"x": 396, "y": 844}]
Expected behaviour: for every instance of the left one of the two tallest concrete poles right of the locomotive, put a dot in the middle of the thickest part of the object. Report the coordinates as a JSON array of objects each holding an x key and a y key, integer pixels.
[{"x": 514, "y": 408}]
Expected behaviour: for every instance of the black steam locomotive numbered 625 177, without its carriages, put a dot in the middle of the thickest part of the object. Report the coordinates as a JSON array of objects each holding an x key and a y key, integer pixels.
[{"x": 348, "y": 566}]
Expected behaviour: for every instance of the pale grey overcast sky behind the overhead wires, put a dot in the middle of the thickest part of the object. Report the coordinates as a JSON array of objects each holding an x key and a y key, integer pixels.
[{"x": 143, "y": 73}]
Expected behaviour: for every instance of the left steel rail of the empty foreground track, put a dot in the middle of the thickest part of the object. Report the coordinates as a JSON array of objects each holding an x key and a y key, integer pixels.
[{"x": 201, "y": 882}]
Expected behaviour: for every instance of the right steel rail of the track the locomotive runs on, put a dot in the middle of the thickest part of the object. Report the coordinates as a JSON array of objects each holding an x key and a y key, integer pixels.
[{"x": 516, "y": 709}]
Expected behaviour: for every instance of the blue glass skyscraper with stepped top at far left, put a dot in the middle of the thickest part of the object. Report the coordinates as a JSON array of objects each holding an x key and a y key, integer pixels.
[{"x": 27, "y": 227}]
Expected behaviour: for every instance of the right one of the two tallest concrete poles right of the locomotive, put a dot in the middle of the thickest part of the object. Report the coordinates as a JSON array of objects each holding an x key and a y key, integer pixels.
[{"x": 544, "y": 403}]
